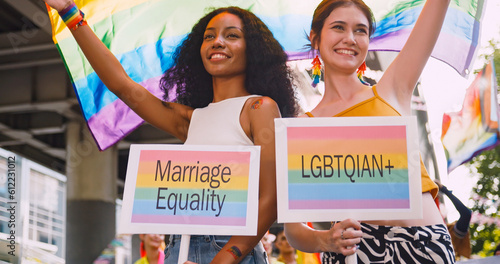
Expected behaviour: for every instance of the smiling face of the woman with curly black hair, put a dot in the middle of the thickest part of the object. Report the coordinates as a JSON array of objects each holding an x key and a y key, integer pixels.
[{"x": 223, "y": 50}]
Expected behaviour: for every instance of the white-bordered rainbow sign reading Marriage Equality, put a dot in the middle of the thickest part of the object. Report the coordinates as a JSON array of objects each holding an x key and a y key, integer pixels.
[{"x": 181, "y": 189}]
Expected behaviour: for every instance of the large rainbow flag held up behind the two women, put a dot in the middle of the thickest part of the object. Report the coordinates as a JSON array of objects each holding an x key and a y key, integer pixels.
[{"x": 144, "y": 33}]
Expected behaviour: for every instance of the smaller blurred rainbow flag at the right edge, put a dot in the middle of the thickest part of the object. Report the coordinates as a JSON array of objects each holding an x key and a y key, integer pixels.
[{"x": 475, "y": 128}]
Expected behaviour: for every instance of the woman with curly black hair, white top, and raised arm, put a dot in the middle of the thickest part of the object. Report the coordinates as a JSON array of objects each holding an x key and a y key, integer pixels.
[{"x": 231, "y": 81}]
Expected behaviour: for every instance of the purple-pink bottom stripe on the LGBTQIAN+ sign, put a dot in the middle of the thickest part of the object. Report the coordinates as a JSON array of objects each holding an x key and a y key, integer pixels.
[{"x": 350, "y": 204}]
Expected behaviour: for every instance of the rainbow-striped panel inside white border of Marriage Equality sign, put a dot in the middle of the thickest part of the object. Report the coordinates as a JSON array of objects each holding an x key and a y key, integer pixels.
[{"x": 188, "y": 197}]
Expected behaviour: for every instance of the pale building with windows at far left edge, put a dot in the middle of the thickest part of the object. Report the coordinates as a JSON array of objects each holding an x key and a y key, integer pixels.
[{"x": 32, "y": 212}]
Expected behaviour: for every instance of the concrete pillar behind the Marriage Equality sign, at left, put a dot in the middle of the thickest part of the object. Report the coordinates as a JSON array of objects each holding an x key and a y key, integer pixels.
[{"x": 91, "y": 195}]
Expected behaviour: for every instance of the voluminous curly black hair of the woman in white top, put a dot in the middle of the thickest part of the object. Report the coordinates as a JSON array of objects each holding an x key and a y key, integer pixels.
[{"x": 266, "y": 71}]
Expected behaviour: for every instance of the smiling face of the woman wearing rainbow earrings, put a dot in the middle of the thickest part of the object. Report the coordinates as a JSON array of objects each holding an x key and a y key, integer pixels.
[{"x": 344, "y": 40}]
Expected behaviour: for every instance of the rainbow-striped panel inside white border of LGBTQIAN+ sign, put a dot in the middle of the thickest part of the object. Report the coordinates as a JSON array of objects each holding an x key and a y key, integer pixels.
[{"x": 348, "y": 167}]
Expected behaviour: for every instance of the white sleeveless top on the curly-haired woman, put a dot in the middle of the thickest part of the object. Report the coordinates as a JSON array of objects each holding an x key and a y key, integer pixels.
[{"x": 219, "y": 124}]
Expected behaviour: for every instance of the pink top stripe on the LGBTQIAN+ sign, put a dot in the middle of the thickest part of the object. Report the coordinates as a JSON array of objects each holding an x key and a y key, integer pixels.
[{"x": 347, "y": 132}]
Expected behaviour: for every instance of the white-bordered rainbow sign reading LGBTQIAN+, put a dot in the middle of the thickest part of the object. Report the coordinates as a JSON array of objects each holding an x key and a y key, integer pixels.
[{"x": 365, "y": 168}]
